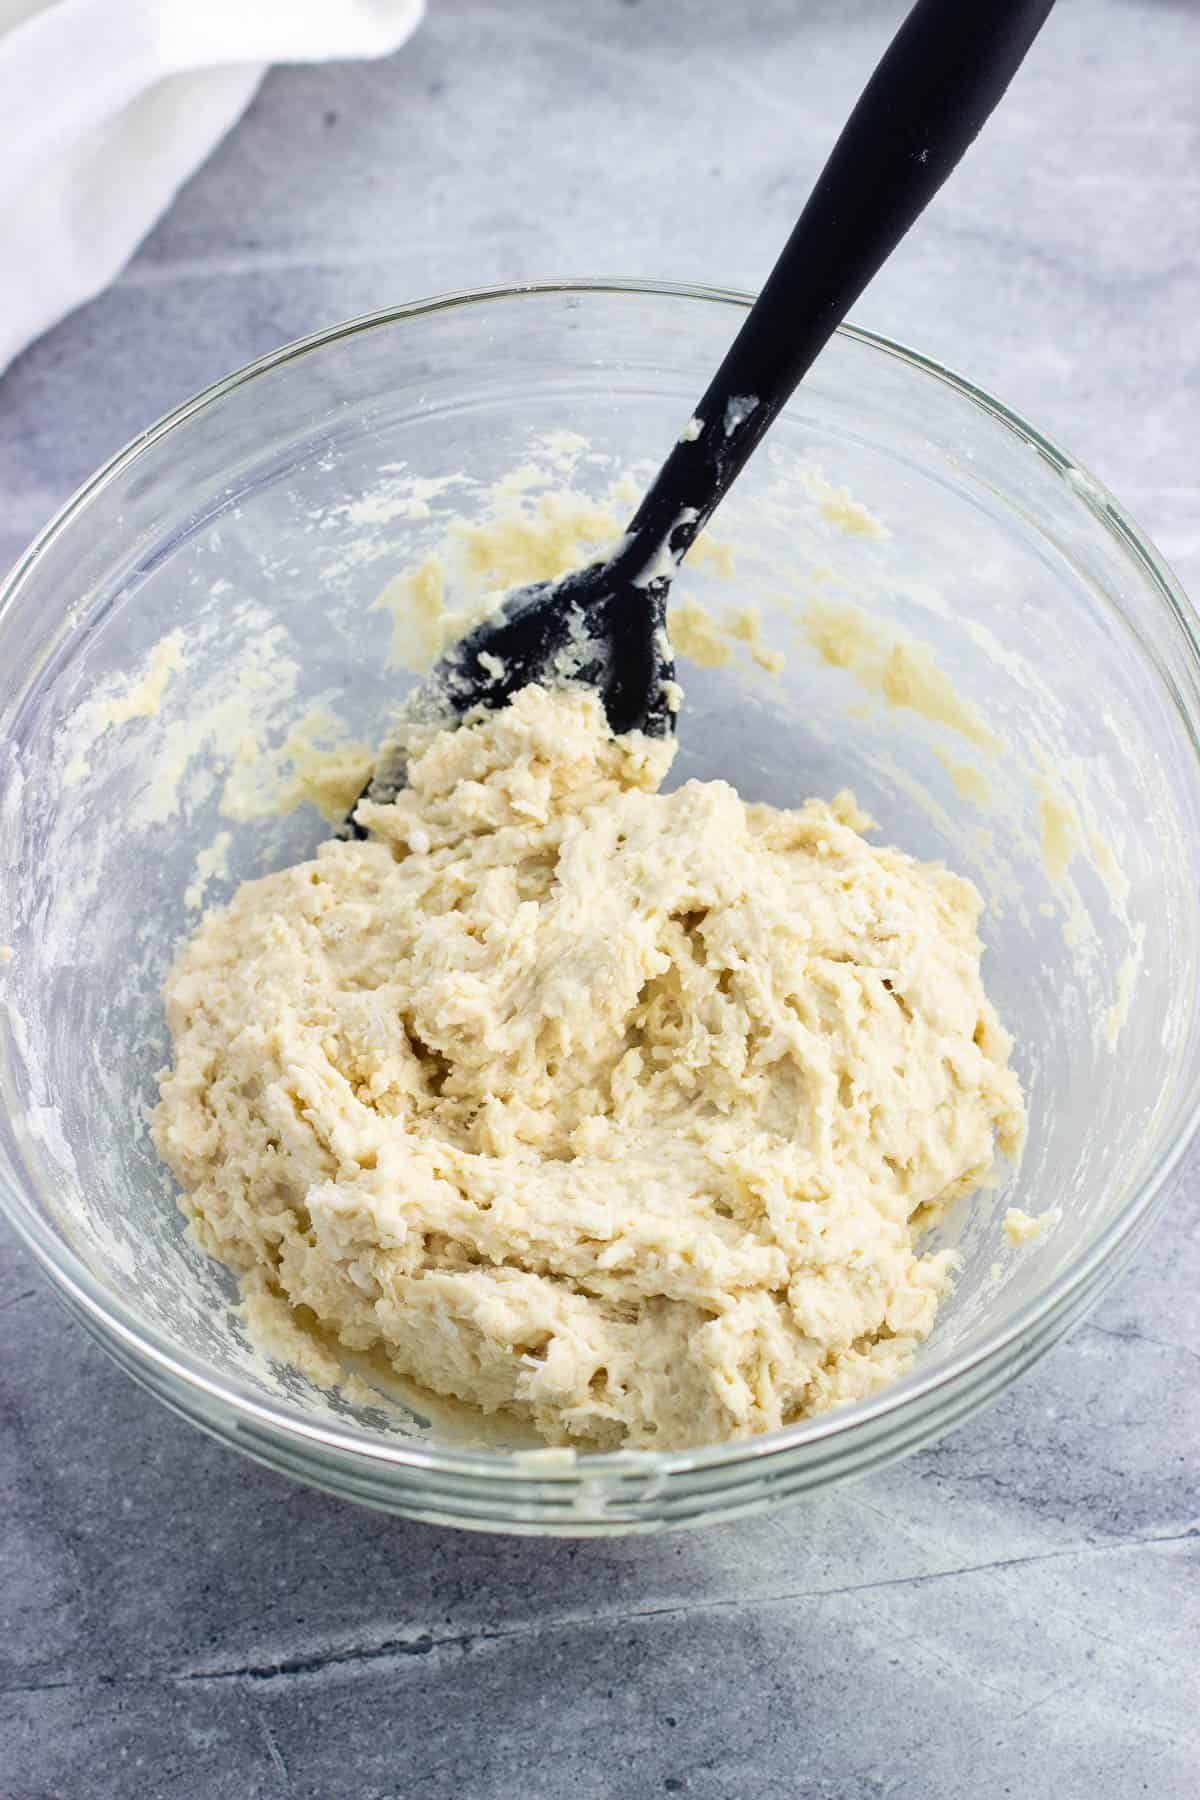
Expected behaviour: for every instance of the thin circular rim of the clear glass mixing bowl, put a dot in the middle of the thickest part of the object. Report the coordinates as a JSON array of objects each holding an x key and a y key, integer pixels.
[{"x": 152, "y": 1345}]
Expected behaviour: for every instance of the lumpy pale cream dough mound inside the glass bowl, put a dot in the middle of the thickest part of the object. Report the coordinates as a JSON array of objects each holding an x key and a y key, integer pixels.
[{"x": 613, "y": 1108}]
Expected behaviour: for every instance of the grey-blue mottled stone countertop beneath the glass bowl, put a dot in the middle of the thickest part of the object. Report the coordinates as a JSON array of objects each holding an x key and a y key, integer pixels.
[{"x": 1014, "y": 1612}]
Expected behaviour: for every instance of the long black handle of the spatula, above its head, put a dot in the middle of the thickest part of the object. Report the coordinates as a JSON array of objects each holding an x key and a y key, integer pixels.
[{"x": 936, "y": 85}]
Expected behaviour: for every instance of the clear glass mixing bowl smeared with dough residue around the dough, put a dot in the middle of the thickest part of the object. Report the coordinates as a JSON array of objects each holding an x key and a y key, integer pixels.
[{"x": 262, "y": 519}]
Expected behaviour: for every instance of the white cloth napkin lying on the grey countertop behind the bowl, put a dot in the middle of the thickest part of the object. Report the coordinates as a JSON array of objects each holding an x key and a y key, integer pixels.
[{"x": 109, "y": 105}]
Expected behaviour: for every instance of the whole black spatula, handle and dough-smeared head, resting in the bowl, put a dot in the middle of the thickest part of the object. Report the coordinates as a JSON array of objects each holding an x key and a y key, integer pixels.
[{"x": 605, "y": 625}]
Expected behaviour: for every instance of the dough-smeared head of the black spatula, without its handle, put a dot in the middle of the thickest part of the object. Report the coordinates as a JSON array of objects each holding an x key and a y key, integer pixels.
[{"x": 591, "y": 627}]
